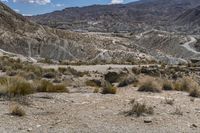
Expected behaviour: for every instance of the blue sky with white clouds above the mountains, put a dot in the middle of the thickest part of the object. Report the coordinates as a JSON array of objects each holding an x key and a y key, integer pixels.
[{"x": 34, "y": 7}]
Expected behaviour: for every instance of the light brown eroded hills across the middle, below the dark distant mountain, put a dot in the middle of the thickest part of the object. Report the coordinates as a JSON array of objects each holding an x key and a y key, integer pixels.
[{"x": 36, "y": 42}]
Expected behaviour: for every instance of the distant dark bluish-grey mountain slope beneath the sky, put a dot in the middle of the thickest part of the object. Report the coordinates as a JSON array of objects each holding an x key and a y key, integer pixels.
[{"x": 135, "y": 16}]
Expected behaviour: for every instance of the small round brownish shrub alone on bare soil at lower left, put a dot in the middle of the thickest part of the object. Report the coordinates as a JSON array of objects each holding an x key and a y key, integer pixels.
[{"x": 16, "y": 110}]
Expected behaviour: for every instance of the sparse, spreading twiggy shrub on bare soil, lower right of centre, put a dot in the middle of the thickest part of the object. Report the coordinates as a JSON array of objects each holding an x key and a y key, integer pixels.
[{"x": 139, "y": 109}]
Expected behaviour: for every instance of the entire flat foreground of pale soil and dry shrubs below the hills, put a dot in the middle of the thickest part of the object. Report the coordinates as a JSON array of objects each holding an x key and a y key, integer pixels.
[{"x": 83, "y": 107}]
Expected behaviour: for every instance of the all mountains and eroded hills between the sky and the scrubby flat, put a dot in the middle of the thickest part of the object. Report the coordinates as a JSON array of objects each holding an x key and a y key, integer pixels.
[{"x": 139, "y": 32}]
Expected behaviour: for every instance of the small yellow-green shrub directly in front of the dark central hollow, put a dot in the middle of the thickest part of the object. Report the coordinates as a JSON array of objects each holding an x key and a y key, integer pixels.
[{"x": 108, "y": 88}]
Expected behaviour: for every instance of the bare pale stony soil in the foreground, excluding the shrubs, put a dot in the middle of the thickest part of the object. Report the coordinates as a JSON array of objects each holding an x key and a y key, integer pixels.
[{"x": 89, "y": 112}]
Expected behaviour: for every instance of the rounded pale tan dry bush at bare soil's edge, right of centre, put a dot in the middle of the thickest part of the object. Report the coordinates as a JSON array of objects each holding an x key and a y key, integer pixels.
[{"x": 149, "y": 85}]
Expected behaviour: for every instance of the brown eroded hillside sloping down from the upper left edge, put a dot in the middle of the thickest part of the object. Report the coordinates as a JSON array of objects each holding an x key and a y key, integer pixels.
[{"x": 18, "y": 35}]
